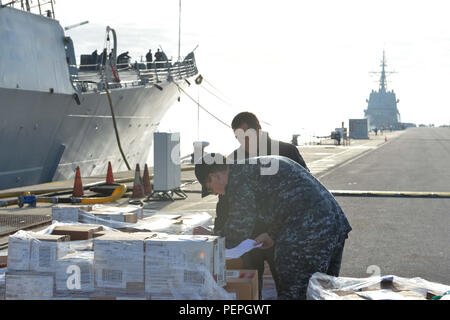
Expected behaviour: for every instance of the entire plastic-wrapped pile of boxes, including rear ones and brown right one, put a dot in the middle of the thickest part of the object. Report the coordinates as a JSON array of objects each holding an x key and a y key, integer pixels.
[{"x": 82, "y": 261}]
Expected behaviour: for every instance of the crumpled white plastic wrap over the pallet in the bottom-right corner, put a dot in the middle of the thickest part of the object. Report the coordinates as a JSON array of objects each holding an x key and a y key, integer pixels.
[{"x": 390, "y": 287}]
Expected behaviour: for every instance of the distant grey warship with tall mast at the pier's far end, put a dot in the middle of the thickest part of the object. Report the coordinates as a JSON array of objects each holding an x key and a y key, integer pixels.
[{"x": 382, "y": 112}]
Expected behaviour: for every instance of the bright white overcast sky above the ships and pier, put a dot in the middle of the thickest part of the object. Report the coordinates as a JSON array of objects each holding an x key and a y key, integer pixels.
[{"x": 296, "y": 64}]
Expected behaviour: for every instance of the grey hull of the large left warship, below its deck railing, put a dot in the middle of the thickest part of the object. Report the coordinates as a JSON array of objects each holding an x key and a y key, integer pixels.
[{"x": 45, "y": 136}]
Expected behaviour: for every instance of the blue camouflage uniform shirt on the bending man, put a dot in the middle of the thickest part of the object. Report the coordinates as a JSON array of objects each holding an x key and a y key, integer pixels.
[{"x": 291, "y": 197}]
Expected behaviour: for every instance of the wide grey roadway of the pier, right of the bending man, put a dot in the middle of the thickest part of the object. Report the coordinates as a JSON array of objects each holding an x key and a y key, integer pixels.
[{"x": 402, "y": 236}]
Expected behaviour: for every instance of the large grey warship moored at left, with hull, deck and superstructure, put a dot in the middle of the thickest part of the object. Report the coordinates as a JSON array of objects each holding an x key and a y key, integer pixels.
[{"x": 56, "y": 115}]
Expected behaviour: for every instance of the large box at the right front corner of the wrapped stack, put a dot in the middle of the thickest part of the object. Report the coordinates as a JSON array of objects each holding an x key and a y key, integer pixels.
[{"x": 183, "y": 262}]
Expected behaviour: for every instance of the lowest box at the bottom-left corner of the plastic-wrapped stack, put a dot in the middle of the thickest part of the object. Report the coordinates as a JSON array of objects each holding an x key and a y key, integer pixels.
[{"x": 29, "y": 286}]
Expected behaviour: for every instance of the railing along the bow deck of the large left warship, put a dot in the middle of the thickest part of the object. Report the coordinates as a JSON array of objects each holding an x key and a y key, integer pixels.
[{"x": 91, "y": 76}]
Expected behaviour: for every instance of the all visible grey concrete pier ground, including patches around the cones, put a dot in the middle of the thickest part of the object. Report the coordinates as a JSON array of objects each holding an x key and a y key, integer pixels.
[{"x": 403, "y": 237}]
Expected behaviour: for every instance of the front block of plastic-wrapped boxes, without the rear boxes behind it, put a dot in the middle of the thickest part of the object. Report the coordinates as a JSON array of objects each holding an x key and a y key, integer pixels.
[{"x": 116, "y": 265}]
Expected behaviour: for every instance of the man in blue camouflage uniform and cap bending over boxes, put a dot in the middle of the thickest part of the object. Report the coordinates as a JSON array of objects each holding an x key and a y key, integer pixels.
[{"x": 304, "y": 222}]
